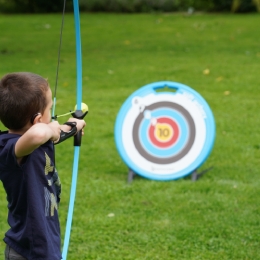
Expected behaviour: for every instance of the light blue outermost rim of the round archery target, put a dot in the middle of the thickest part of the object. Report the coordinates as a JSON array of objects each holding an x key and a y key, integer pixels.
[{"x": 151, "y": 88}]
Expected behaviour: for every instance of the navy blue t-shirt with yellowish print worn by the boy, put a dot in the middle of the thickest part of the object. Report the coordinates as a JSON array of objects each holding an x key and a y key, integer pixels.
[{"x": 33, "y": 189}]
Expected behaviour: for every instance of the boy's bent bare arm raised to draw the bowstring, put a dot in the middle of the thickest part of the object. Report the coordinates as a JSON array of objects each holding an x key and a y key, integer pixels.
[{"x": 35, "y": 136}]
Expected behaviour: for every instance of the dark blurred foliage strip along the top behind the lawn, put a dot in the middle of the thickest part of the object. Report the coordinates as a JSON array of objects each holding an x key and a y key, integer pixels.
[{"x": 130, "y": 6}]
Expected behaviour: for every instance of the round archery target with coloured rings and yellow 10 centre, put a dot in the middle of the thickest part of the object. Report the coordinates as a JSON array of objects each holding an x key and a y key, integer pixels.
[{"x": 164, "y": 134}]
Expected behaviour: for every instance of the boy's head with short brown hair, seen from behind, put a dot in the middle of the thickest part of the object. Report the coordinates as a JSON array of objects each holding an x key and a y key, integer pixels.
[{"x": 22, "y": 95}]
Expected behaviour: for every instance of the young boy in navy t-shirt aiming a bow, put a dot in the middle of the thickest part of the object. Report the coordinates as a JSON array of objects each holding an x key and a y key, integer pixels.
[{"x": 27, "y": 166}]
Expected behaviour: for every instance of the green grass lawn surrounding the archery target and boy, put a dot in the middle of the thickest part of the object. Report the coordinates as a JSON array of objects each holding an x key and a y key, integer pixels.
[{"x": 216, "y": 217}]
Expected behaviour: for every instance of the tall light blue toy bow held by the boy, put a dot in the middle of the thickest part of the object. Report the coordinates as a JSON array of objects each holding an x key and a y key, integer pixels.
[{"x": 77, "y": 139}]
